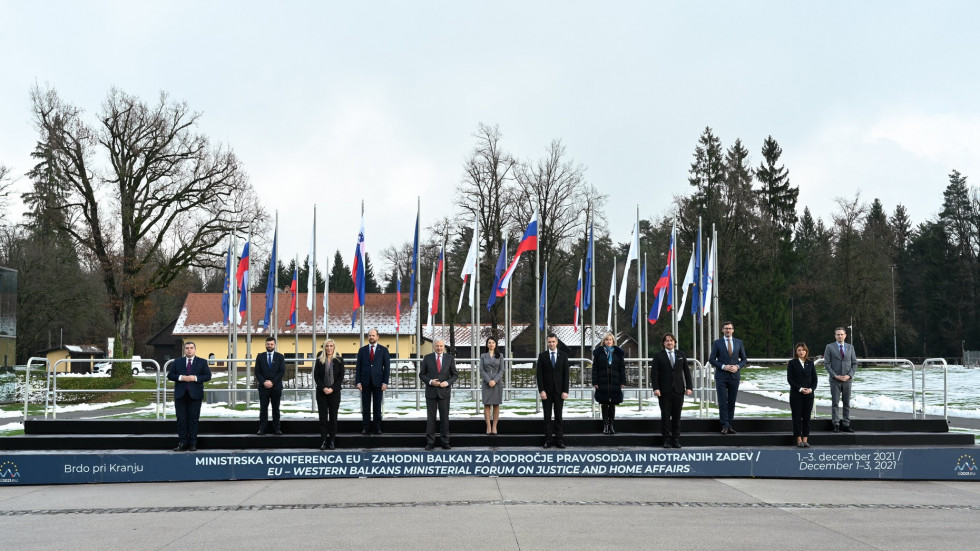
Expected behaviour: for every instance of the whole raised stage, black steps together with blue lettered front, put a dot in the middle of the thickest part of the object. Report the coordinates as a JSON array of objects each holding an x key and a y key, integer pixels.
[{"x": 84, "y": 451}]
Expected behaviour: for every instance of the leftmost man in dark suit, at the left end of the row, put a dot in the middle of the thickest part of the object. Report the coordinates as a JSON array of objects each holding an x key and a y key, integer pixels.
[{"x": 189, "y": 375}]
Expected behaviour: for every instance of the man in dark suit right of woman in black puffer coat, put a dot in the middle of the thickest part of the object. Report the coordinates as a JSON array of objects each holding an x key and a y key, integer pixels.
[{"x": 671, "y": 380}]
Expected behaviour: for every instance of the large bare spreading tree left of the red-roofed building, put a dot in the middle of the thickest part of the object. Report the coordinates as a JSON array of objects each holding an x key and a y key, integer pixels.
[{"x": 146, "y": 194}]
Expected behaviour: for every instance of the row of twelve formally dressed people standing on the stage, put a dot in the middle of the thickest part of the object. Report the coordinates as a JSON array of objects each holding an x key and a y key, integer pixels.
[{"x": 670, "y": 378}]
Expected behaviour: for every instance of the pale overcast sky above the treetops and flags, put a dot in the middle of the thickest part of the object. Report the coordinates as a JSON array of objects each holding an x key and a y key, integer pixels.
[{"x": 334, "y": 102}]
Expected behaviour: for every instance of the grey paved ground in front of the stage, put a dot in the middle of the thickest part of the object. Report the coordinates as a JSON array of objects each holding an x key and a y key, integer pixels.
[{"x": 494, "y": 513}]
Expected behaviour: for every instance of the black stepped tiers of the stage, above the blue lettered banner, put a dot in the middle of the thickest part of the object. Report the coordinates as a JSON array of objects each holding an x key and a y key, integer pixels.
[{"x": 470, "y": 433}]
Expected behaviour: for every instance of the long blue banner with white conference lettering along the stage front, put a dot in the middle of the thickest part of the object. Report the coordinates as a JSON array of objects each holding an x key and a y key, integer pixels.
[{"x": 851, "y": 463}]
